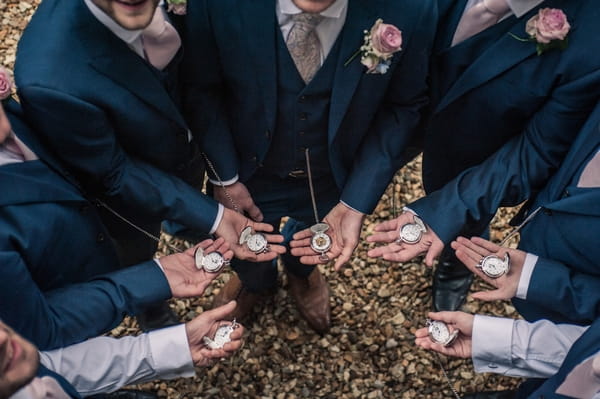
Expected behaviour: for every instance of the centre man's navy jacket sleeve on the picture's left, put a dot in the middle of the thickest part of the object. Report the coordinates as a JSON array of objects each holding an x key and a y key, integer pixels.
[{"x": 202, "y": 85}]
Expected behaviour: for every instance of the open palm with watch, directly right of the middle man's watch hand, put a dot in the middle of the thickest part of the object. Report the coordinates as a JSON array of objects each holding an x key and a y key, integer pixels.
[{"x": 389, "y": 232}]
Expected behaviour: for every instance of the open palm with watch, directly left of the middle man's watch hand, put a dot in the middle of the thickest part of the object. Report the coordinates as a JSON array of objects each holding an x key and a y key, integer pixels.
[{"x": 231, "y": 226}]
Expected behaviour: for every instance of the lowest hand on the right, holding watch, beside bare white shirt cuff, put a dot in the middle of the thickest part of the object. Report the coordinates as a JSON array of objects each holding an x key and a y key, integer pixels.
[{"x": 462, "y": 345}]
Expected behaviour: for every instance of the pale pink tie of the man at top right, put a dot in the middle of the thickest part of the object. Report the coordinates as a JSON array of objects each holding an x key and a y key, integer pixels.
[{"x": 480, "y": 17}]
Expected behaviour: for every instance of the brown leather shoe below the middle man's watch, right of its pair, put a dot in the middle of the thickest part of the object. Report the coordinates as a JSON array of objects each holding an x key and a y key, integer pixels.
[{"x": 312, "y": 298}]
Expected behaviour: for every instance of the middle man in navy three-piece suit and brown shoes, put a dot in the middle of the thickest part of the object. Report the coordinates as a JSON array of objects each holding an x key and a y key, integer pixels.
[{"x": 268, "y": 112}]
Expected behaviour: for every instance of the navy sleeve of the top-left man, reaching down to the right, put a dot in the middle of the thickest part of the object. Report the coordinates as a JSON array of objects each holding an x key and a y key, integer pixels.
[{"x": 123, "y": 180}]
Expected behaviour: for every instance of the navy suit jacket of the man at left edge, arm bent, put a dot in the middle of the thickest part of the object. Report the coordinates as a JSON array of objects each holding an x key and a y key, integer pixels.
[{"x": 57, "y": 262}]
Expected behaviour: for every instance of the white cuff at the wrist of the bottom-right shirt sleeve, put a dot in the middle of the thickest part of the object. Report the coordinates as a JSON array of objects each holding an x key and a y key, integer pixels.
[{"x": 491, "y": 347}]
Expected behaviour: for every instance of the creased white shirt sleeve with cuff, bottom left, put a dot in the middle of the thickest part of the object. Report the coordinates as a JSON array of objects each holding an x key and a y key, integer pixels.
[{"x": 106, "y": 364}]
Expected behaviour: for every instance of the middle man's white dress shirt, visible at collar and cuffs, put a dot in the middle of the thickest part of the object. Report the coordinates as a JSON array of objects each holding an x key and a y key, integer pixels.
[{"x": 327, "y": 31}]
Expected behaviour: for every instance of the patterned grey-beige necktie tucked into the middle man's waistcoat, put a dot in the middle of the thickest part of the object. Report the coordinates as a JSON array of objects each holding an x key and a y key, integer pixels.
[{"x": 304, "y": 46}]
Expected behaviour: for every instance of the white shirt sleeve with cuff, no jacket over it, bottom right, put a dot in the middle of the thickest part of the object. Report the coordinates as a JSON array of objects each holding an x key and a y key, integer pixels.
[{"x": 519, "y": 348}]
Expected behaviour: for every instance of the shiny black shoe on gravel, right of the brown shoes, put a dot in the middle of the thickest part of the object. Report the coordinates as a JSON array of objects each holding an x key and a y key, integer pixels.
[{"x": 451, "y": 283}]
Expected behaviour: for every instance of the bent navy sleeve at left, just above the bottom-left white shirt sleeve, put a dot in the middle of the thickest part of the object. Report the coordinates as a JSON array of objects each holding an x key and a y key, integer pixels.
[{"x": 75, "y": 312}]
